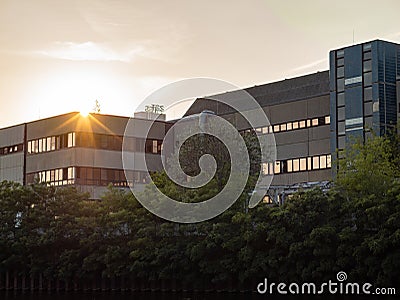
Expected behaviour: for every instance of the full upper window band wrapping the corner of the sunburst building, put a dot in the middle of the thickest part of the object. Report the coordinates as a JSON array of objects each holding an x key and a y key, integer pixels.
[{"x": 93, "y": 140}]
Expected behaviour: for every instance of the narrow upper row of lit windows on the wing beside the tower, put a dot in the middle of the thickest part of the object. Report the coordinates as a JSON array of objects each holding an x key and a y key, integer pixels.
[{"x": 325, "y": 120}]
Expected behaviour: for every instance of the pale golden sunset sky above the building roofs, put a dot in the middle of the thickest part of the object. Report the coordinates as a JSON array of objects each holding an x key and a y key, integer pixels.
[{"x": 60, "y": 56}]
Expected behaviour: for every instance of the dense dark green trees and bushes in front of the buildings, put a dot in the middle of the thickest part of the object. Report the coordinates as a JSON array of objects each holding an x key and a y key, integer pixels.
[{"x": 355, "y": 227}]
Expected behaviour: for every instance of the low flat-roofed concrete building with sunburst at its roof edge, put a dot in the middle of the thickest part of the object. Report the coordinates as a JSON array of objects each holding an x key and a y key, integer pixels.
[{"x": 72, "y": 149}]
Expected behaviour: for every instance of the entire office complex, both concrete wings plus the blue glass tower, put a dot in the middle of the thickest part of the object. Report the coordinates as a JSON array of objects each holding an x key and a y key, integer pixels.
[{"x": 311, "y": 117}]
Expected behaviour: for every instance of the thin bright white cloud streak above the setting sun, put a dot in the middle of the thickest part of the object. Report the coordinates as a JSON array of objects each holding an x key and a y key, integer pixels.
[{"x": 90, "y": 51}]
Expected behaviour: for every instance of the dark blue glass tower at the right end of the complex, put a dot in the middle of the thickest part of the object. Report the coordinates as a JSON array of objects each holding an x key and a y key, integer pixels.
[{"x": 363, "y": 93}]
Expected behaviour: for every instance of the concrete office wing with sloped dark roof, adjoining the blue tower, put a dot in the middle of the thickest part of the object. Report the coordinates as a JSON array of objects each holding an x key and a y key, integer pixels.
[{"x": 298, "y": 110}]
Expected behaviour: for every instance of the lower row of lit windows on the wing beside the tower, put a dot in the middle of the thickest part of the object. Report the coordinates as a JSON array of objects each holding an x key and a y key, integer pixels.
[{"x": 297, "y": 165}]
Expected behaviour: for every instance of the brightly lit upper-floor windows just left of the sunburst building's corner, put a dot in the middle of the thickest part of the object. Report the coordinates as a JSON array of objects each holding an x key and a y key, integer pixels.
[{"x": 51, "y": 143}]
